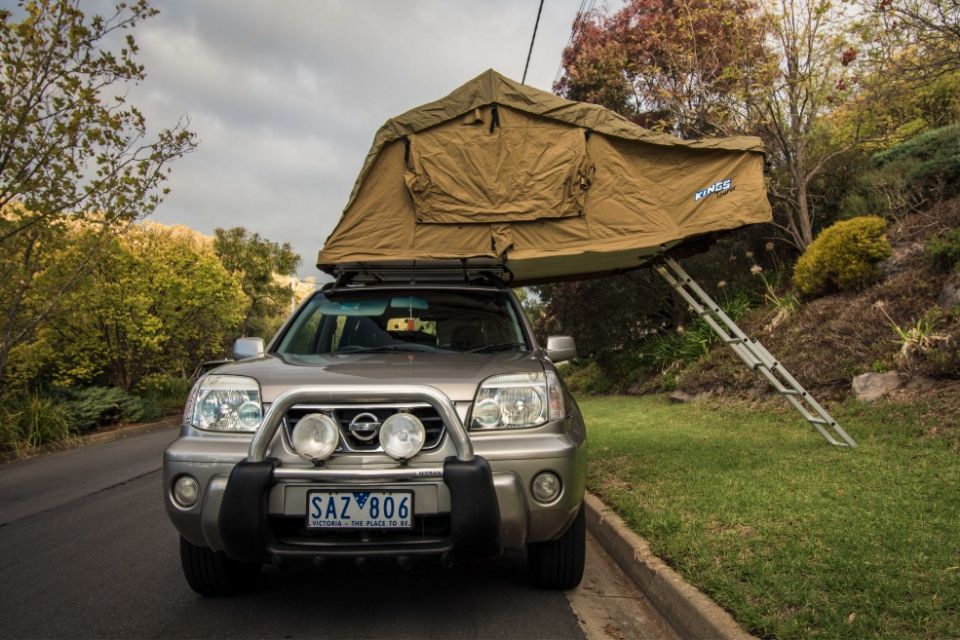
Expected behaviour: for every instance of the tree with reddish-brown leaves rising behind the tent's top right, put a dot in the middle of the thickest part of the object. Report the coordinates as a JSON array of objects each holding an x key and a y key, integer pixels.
[{"x": 690, "y": 67}]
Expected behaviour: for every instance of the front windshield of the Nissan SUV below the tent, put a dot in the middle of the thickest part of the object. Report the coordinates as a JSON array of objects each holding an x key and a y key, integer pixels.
[{"x": 359, "y": 321}]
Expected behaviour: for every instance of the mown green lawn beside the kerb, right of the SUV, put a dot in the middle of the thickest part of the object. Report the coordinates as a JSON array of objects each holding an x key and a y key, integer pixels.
[{"x": 796, "y": 538}]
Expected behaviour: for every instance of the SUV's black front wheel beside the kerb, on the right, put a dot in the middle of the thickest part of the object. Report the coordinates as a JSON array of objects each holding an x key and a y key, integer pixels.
[{"x": 558, "y": 564}]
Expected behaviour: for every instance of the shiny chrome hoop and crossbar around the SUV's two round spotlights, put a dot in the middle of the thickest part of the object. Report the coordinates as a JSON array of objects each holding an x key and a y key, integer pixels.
[{"x": 264, "y": 436}]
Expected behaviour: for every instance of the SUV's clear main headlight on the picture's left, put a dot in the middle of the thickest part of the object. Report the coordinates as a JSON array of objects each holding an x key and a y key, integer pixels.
[{"x": 225, "y": 403}]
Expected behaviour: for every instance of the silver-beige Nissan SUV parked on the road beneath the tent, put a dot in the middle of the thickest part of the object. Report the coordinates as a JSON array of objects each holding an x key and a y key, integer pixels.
[{"x": 396, "y": 419}]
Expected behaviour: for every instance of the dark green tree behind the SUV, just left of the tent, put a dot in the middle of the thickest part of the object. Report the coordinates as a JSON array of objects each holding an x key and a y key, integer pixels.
[{"x": 261, "y": 266}]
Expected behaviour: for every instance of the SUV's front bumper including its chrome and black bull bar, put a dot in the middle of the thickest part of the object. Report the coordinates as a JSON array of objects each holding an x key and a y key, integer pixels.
[{"x": 473, "y": 490}]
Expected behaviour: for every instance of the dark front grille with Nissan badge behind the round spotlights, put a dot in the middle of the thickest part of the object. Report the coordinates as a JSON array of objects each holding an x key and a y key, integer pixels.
[{"x": 343, "y": 415}]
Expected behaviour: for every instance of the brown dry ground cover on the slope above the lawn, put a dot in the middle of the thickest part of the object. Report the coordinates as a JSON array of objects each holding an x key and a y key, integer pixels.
[{"x": 829, "y": 340}]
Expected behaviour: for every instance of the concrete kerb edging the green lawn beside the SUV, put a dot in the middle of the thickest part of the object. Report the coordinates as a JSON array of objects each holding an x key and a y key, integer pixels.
[{"x": 691, "y": 613}]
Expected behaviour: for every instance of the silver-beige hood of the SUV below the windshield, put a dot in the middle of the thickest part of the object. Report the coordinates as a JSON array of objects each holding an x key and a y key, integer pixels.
[{"x": 456, "y": 374}]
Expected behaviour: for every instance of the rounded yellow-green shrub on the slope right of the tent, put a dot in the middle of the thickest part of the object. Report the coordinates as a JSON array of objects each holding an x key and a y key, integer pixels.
[{"x": 843, "y": 256}]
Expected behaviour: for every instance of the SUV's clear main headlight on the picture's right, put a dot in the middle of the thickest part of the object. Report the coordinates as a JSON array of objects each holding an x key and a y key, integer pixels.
[{"x": 518, "y": 400}]
